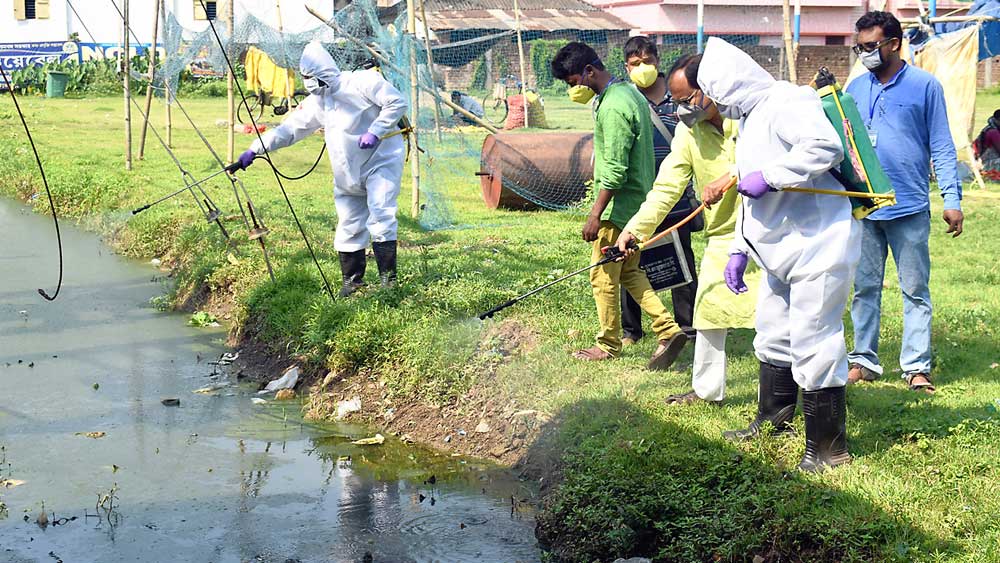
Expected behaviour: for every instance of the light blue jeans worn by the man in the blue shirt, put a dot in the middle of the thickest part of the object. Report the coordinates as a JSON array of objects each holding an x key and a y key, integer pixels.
[{"x": 907, "y": 238}]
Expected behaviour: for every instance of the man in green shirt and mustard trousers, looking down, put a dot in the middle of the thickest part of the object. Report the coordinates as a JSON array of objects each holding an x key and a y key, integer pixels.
[{"x": 624, "y": 168}]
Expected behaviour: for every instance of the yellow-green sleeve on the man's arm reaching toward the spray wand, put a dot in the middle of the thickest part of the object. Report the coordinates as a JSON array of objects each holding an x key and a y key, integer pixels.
[{"x": 671, "y": 180}]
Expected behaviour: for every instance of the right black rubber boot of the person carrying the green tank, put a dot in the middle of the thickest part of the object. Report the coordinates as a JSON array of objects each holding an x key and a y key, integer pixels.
[{"x": 825, "y": 412}]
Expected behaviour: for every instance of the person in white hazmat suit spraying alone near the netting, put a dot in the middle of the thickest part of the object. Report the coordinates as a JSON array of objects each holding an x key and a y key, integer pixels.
[{"x": 355, "y": 109}]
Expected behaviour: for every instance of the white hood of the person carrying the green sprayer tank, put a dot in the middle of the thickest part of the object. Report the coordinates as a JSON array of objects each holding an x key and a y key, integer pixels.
[{"x": 731, "y": 78}]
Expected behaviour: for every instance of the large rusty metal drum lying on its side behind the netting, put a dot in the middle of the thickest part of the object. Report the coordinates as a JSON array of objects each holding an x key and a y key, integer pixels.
[{"x": 530, "y": 170}]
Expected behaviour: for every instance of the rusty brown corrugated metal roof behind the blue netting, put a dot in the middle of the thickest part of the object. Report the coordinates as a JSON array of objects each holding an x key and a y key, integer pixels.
[{"x": 531, "y": 20}]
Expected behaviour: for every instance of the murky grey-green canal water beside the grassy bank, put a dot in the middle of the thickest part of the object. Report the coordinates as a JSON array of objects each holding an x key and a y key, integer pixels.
[{"x": 216, "y": 479}]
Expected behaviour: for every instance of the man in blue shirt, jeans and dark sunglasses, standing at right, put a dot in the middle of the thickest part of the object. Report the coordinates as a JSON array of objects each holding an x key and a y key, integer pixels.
[{"x": 904, "y": 112}]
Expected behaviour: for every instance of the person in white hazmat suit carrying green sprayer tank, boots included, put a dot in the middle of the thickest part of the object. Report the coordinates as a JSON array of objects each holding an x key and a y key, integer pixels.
[{"x": 808, "y": 246}]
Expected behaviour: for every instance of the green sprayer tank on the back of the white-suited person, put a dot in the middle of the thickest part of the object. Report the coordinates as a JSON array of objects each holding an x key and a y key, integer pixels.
[{"x": 860, "y": 170}]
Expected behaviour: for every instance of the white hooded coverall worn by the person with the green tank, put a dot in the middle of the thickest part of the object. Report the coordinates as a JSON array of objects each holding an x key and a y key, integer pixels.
[{"x": 807, "y": 244}]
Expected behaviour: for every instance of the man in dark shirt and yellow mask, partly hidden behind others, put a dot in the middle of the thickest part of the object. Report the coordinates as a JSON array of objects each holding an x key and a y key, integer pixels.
[{"x": 641, "y": 54}]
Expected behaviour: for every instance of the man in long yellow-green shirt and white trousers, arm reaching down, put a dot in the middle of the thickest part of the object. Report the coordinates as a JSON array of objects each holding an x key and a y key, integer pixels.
[{"x": 703, "y": 149}]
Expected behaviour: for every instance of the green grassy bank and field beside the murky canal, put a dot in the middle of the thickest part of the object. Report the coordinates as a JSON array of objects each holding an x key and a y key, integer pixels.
[{"x": 624, "y": 474}]
